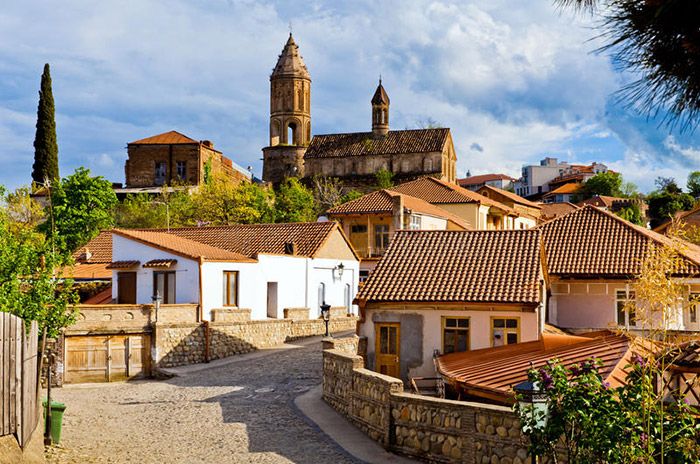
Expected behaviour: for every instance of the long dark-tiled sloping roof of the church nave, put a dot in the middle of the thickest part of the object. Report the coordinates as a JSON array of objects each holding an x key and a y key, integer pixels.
[{"x": 365, "y": 143}]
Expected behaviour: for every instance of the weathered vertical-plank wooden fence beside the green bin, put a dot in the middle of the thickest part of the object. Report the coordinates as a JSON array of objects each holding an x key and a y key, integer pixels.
[{"x": 19, "y": 412}]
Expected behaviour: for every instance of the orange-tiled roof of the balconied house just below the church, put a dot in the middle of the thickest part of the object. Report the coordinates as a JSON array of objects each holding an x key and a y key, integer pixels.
[{"x": 382, "y": 202}]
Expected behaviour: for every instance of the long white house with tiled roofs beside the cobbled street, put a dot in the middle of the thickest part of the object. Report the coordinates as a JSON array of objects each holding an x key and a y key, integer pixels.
[{"x": 263, "y": 267}]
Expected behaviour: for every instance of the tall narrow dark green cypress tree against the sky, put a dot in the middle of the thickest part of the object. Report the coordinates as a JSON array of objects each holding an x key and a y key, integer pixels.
[{"x": 45, "y": 145}]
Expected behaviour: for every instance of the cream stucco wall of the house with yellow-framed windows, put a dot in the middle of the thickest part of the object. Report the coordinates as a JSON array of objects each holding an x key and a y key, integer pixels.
[{"x": 479, "y": 330}]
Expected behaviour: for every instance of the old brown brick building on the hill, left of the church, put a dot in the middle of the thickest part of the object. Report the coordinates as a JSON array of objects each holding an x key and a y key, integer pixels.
[{"x": 173, "y": 158}]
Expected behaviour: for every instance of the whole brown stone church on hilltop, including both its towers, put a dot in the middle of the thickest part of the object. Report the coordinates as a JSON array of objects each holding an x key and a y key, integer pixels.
[{"x": 355, "y": 157}]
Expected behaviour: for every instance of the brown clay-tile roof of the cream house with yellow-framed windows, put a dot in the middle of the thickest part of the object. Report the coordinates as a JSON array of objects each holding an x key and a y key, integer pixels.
[{"x": 458, "y": 266}]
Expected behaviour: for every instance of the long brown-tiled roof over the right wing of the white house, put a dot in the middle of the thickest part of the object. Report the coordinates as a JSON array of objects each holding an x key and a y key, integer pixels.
[{"x": 250, "y": 239}]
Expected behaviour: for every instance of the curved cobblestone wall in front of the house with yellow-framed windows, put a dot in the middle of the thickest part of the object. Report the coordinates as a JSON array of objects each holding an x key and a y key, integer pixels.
[{"x": 431, "y": 429}]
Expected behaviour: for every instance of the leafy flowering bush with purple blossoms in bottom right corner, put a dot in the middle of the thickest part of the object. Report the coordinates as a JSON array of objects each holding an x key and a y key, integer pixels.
[{"x": 587, "y": 421}]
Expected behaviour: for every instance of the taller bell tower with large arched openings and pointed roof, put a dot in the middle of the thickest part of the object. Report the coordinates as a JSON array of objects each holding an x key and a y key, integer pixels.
[{"x": 290, "y": 116}]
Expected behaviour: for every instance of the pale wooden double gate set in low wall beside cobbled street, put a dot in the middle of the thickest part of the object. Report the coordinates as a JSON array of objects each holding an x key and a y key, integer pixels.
[{"x": 107, "y": 358}]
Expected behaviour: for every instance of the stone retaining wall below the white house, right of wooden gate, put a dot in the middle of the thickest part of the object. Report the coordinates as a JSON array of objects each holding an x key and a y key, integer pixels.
[{"x": 180, "y": 344}]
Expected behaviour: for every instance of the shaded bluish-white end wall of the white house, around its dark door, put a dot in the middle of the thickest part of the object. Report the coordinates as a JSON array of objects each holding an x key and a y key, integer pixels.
[{"x": 186, "y": 271}]
